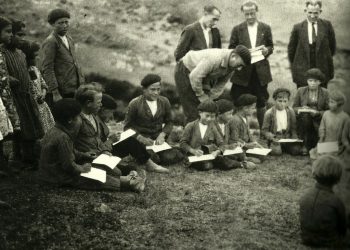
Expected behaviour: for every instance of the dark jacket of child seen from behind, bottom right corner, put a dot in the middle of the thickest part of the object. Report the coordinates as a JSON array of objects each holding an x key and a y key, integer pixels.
[{"x": 322, "y": 217}]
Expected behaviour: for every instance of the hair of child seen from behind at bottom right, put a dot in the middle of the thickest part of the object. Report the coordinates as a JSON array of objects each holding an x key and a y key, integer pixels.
[{"x": 327, "y": 170}]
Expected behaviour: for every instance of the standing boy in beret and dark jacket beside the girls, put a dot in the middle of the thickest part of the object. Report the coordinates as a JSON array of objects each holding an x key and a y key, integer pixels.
[{"x": 58, "y": 61}]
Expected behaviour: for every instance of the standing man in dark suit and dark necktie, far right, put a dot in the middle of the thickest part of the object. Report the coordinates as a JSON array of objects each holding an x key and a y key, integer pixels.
[{"x": 312, "y": 45}]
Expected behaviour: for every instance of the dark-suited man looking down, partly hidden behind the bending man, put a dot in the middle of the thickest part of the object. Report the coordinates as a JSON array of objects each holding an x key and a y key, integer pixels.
[{"x": 200, "y": 35}]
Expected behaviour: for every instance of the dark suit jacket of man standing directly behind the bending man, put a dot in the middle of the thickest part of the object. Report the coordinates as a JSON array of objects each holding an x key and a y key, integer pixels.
[{"x": 192, "y": 38}]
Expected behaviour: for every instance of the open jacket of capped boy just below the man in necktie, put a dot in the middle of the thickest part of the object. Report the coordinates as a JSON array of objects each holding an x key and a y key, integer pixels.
[{"x": 302, "y": 97}]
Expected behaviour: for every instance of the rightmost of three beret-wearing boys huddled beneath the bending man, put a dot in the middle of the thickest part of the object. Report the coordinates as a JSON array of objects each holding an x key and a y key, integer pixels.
[{"x": 238, "y": 131}]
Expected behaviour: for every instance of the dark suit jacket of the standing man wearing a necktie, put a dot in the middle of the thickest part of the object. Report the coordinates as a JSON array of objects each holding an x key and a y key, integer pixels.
[{"x": 299, "y": 50}]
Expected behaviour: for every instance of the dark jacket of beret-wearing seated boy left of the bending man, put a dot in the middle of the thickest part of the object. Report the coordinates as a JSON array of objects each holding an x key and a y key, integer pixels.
[{"x": 139, "y": 117}]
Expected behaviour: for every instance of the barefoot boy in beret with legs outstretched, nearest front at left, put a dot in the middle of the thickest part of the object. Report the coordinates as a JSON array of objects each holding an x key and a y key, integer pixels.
[{"x": 58, "y": 162}]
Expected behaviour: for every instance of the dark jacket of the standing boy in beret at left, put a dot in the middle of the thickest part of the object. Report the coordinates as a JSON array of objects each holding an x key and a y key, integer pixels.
[{"x": 59, "y": 66}]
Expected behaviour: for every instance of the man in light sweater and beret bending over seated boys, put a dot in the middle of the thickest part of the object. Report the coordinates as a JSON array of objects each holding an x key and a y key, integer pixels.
[{"x": 202, "y": 75}]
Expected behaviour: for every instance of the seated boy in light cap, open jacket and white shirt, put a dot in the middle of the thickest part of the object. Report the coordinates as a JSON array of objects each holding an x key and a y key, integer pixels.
[{"x": 280, "y": 123}]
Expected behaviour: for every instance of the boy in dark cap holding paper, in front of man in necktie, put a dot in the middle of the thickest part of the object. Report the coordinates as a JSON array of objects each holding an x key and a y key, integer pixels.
[{"x": 310, "y": 102}]
